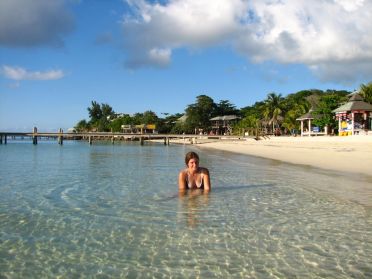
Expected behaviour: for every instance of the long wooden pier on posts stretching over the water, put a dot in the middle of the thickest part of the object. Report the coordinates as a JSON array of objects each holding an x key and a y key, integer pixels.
[{"x": 90, "y": 137}]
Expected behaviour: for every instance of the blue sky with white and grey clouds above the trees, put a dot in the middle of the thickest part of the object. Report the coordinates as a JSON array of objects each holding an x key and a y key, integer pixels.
[{"x": 58, "y": 56}]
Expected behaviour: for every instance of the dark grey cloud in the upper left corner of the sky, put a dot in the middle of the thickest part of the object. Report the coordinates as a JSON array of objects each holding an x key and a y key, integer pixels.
[{"x": 25, "y": 23}]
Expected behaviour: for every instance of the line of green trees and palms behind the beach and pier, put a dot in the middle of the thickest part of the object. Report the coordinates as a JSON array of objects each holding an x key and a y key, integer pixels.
[{"x": 275, "y": 113}]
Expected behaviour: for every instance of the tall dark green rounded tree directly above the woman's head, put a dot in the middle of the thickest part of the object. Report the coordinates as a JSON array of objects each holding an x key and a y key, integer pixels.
[{"x": 200, "y": 113}]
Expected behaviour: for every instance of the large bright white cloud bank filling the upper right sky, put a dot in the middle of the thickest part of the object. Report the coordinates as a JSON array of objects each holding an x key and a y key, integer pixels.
[{"x": 332, "y": 38}]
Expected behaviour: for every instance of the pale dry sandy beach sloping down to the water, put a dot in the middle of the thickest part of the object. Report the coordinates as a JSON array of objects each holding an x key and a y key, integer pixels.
[{"x": 345, "y": 154}]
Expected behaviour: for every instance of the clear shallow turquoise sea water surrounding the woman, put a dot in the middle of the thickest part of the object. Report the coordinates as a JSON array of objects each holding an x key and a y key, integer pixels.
[{"x": 111, "y": 211}]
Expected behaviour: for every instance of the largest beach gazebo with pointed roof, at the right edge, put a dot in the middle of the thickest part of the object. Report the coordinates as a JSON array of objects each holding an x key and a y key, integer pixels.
[{"x": 354, "y": 117}]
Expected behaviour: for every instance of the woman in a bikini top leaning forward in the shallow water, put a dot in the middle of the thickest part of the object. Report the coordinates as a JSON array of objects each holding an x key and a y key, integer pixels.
[{"x": 193, "y": 177}]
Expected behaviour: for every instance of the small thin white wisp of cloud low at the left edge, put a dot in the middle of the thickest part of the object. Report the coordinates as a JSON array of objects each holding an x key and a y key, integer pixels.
[{"x": 19, "y": 73}]
